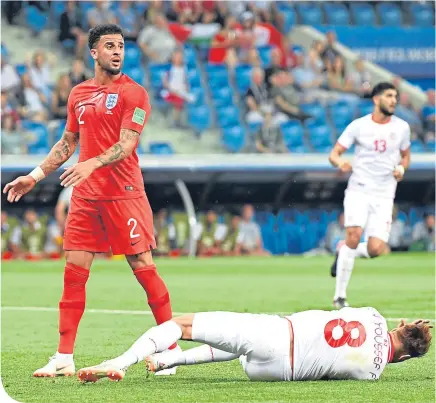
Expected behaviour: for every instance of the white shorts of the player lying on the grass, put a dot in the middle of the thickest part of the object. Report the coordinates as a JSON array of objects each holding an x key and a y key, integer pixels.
[{"x": 263, "y": 339}]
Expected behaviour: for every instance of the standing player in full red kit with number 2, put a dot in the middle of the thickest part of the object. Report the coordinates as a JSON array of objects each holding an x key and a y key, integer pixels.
[{"x": 109, "y": 207}]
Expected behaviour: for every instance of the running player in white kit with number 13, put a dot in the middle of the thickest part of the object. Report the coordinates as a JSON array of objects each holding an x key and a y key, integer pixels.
[{"x": 382, "y": 157}]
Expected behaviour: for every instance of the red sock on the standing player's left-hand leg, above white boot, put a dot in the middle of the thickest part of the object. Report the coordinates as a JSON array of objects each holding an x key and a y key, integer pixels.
[{"x": 71, "y": 306}]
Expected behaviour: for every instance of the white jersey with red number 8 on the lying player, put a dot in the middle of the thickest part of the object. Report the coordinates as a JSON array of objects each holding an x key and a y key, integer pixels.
[{"x": 352, "y": 343}]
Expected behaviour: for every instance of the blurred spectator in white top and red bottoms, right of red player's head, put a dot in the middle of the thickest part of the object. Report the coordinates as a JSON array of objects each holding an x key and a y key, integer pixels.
[{"x": 176, "y": 87}]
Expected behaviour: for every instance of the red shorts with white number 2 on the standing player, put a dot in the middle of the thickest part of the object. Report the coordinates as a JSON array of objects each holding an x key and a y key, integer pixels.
[{"x": 125, "y": 226}]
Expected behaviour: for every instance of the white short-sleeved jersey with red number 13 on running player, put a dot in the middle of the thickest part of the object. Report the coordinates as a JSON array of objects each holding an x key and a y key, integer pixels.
[{"x": 377, "y": 153}]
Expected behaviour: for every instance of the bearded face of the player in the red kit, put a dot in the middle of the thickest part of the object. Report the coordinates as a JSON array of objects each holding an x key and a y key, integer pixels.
[{"x": 109, "y": 53}]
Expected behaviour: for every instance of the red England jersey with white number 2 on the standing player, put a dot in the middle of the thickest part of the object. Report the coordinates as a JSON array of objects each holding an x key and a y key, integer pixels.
[{"x": 98, "y": 113}]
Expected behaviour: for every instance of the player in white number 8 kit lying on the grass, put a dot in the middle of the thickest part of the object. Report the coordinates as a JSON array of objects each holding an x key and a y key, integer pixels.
[{"x": 352, "y": 343}]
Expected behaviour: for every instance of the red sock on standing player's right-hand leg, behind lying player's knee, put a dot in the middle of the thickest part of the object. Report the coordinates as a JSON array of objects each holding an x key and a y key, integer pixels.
[{"x": 157, "y": 293}]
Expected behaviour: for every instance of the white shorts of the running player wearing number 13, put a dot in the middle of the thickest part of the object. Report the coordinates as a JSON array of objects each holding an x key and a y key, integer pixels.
[{"x": 374, "y": 214}]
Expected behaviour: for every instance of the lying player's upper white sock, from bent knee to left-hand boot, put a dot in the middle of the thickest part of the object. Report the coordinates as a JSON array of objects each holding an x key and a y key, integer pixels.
[{"x": 154, "y": 340}]
